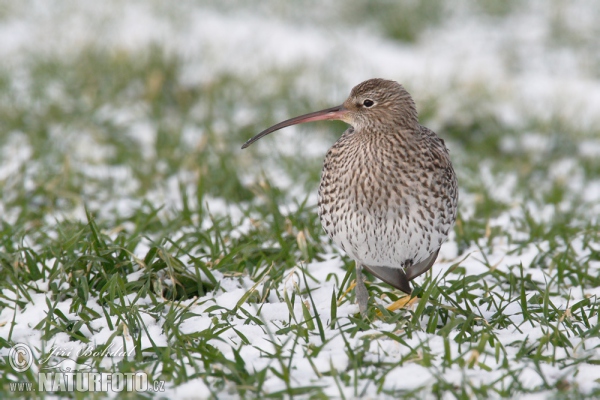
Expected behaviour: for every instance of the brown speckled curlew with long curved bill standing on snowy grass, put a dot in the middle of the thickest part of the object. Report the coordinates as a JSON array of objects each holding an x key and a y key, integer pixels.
[{"x": 388, "y": 194}]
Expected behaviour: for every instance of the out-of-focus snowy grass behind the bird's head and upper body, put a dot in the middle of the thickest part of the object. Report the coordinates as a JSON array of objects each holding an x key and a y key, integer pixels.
[{"x": 106, "y": 101}]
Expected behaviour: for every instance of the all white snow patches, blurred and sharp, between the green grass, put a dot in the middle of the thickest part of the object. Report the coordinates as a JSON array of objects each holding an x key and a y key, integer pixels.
[{"x": 522, "y": 75}]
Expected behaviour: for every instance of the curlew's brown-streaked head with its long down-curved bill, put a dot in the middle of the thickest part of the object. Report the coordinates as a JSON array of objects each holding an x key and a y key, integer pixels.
[{"x": 373, "y": 103}]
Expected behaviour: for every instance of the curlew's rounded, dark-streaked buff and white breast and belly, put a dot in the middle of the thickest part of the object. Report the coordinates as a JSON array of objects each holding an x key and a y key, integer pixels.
[{"x": 383, "y": 207}]
